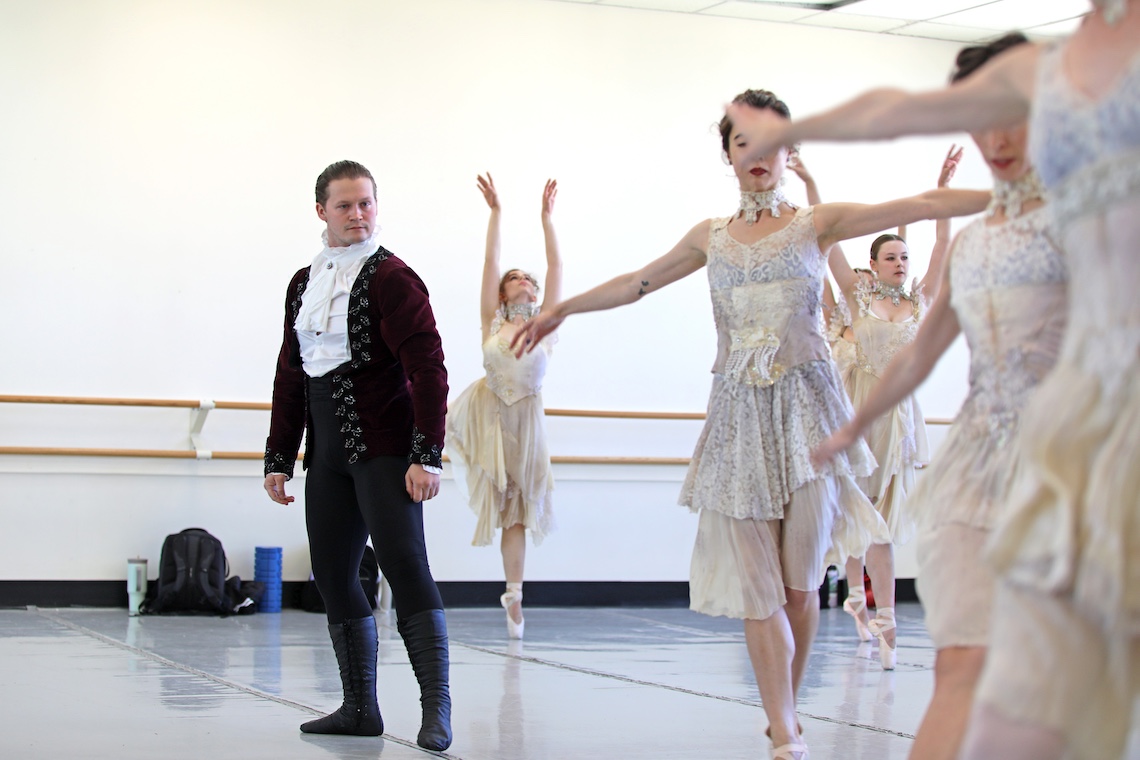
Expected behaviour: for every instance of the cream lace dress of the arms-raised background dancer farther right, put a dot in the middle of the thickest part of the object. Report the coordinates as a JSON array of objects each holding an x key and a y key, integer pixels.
[{"x": 899, "y": 438}]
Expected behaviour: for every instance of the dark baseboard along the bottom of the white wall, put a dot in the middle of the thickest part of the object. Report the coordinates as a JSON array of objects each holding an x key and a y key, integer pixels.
[{"x": 457, "y": 594}]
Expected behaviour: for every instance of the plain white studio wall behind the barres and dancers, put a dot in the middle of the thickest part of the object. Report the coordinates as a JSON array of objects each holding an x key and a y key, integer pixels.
[{"x": 158, "y": 164}]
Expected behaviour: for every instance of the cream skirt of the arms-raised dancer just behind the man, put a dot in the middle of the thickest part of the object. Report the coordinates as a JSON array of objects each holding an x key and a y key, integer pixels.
[{"x": 501, "y": 452}]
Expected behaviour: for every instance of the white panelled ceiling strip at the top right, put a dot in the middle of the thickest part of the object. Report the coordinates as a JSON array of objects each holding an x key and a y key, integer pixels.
[{"x": 958, "y": 21}]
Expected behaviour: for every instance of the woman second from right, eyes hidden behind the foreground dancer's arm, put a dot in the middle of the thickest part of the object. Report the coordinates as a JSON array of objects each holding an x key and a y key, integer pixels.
[{"x": 1006, "y": 291}]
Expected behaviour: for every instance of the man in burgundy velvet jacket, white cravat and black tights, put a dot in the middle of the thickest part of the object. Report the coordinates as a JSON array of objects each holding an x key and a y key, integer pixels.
[{"x": 362, "y": 370}]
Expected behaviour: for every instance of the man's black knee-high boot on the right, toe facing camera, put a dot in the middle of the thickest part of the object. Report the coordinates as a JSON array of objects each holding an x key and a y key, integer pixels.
[{"x": 426, "y": 638}]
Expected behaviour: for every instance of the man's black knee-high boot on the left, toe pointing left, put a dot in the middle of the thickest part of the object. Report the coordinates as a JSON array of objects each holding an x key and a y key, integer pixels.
[{"x": 355, "y": 643}]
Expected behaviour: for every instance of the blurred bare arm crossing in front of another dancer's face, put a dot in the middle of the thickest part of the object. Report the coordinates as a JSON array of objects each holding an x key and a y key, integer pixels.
[{"x": 997, "y": 96}]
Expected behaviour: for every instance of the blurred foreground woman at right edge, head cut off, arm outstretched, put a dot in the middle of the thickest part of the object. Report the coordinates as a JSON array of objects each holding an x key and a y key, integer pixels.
[{"x": 1063, "y": 673}]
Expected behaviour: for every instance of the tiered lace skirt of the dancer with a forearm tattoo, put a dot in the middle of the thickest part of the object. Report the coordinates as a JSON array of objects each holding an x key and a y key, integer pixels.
[{"x": 769, "y": 519}]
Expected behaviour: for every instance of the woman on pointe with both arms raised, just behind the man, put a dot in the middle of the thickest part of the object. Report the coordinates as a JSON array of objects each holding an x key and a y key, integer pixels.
[{"x": 496, "y": 430}]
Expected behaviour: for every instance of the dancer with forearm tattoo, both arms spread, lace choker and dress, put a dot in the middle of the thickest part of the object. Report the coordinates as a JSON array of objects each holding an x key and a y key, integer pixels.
[{"x": 769, "y": 517}]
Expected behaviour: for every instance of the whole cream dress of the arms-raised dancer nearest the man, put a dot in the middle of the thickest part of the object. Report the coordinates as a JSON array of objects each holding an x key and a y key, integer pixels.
[{"x": 496, "y": 434}]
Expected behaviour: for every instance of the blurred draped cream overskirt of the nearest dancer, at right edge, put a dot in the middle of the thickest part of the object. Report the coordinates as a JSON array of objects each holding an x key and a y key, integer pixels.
[{"x": 1073, "y": 524}]
